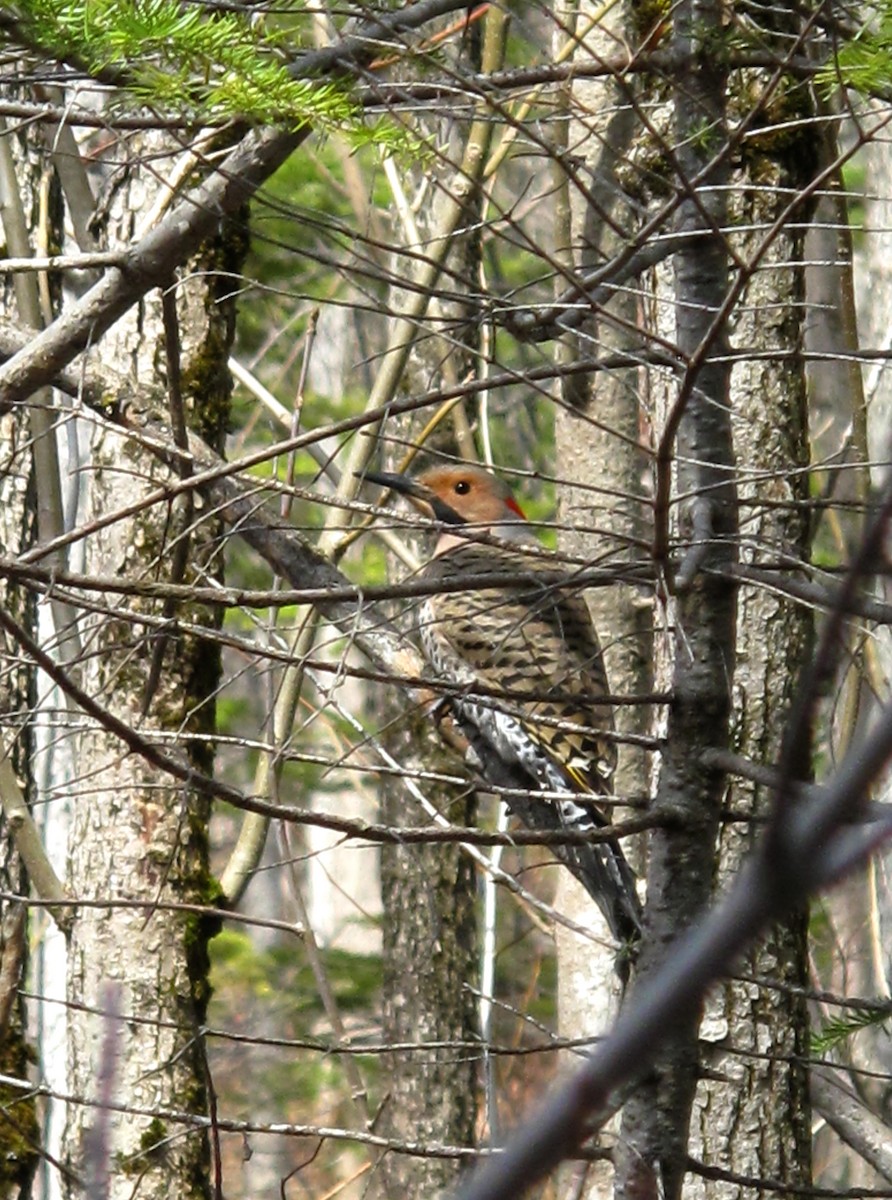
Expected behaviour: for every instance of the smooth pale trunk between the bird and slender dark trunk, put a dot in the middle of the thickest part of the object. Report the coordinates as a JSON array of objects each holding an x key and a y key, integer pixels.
[{"x": 603, "y": 511}]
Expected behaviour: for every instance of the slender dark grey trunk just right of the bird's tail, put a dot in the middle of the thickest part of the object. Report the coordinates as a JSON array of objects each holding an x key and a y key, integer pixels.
[{"x": 697, "y": 463}]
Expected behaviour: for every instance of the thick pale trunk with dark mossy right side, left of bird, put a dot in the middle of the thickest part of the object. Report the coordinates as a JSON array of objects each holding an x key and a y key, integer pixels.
[{"x": 139, "y": 843}]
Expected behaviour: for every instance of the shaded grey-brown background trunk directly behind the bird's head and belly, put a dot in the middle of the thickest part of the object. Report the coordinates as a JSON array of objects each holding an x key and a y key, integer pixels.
[{"x": 429, "y": 893}]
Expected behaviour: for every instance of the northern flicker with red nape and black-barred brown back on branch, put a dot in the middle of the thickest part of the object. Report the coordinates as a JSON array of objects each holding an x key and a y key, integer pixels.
[{"x": 522, "y": 647}]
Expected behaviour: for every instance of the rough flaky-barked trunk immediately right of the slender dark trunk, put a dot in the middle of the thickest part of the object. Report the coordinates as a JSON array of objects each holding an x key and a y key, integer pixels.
[{"x": 751, "y": 1113}]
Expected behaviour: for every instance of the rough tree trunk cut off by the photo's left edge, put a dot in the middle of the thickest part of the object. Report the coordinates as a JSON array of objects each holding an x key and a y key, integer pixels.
[{"x": 31, "y": 220}]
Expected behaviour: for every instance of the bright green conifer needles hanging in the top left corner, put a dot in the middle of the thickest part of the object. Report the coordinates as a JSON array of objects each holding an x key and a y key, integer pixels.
[{"x": 209, "y": 67}]
